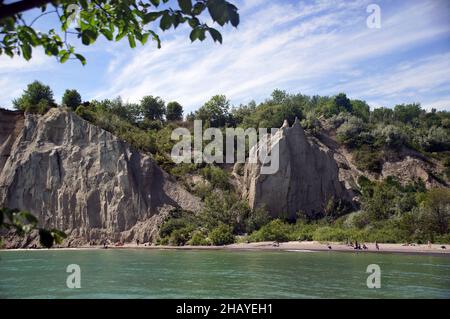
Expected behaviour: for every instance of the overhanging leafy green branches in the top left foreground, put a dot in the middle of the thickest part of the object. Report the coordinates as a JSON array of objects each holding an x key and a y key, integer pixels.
[{"x": 114, "y": 20}]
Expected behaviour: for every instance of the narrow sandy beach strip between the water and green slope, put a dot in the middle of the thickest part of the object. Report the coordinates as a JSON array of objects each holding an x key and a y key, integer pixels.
[{"x": 293, "y": 246}]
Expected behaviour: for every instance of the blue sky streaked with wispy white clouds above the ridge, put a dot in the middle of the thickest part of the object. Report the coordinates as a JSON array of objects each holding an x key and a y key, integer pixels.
[{"x": 311, "y": 47}]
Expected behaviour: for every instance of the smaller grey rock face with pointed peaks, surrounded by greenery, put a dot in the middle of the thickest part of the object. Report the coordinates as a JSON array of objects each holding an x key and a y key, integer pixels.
[{"x": 307, "y": 178}]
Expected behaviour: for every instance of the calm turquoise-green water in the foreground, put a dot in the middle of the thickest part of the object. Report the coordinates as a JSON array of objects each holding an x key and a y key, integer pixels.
[{"x": 220, "y": 274}]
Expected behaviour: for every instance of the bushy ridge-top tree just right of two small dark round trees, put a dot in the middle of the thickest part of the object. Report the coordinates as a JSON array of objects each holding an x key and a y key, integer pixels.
[{"x": 215, "y": 111}]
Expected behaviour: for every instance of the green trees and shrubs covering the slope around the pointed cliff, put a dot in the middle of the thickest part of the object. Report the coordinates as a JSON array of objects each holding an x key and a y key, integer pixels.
[{"x": 390, "y": 211}]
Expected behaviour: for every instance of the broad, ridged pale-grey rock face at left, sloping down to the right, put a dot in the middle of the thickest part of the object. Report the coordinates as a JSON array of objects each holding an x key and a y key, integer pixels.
[{"x": 83, "y": 180}]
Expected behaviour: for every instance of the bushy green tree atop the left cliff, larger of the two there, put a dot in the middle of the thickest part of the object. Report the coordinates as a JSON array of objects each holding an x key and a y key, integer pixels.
[{"x": 36, "y": 98}]
